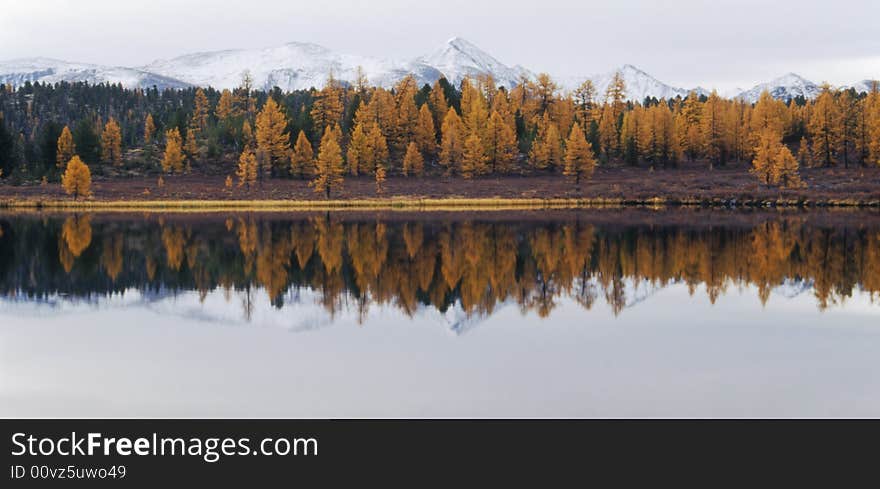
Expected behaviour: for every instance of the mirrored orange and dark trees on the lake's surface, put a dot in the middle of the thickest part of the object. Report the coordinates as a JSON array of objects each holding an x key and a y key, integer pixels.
[{"x": 472, "y": 262}]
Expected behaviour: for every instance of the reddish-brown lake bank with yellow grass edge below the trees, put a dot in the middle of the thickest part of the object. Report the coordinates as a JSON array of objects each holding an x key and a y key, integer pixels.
[{"x": 690, "y": 185}]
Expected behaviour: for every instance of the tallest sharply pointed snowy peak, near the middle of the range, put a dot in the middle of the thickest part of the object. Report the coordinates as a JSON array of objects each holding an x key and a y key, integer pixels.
[{"x": 459, "y": 58}]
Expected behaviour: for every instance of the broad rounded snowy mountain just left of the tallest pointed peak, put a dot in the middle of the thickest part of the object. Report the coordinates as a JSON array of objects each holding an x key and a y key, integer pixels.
[{"x": 293, "y": 66}]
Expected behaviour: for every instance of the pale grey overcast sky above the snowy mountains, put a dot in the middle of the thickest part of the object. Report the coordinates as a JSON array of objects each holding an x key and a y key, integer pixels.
[{"x": 720, "y": 43}]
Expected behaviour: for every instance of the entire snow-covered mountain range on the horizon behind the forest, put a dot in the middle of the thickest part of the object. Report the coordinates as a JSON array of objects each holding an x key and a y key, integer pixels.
[{"x": 296, "y": 66}]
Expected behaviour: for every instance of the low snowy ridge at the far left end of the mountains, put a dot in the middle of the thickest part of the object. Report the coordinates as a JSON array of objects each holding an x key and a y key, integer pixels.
[{"x": 47, "y": 70}]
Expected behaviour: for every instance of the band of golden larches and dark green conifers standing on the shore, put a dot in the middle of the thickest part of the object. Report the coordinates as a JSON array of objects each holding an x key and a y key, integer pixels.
[{"x": 475, "y": 129}]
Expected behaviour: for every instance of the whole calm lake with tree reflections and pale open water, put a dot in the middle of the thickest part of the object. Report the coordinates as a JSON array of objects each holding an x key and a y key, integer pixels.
[{"x": 606, "y": 313}]
